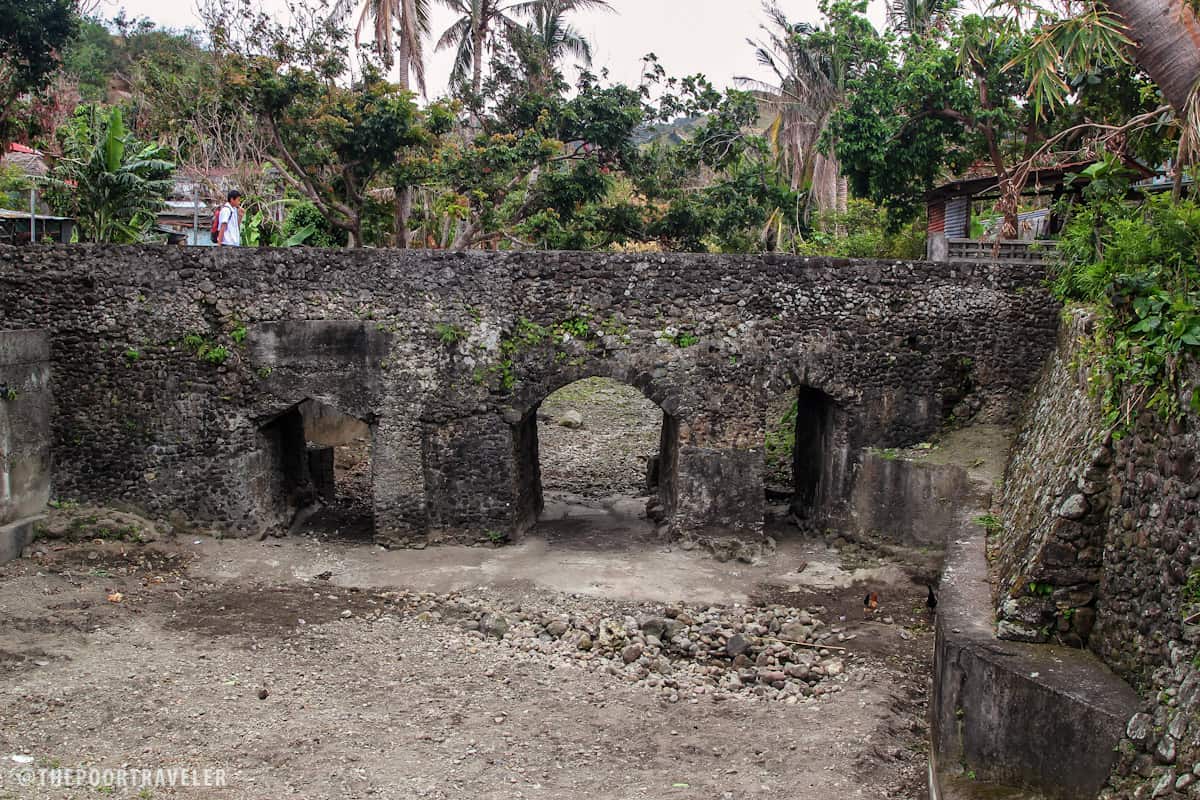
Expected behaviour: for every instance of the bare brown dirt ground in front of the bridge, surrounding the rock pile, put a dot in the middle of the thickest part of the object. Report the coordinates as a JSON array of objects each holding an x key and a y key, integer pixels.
[{"x": 308, "y": 669}]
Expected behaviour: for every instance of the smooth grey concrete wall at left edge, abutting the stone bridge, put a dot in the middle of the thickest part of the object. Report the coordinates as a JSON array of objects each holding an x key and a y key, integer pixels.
[{"x": 25, "y": 436}]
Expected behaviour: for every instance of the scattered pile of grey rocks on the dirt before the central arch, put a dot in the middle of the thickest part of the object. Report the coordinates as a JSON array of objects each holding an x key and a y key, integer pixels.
[{"x": 776, "y": 653}]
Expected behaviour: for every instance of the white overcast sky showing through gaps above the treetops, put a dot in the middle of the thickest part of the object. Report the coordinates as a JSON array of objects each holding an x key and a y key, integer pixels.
[{"x": 689, "y": 37}]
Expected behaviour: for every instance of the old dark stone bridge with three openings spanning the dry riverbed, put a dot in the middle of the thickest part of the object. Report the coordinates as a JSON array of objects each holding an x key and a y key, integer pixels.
[{"x": 178, "y": 374}]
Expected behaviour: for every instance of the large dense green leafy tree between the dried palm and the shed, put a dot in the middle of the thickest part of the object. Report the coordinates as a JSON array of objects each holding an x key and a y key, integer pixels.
[{"x": 927, "y": 109}]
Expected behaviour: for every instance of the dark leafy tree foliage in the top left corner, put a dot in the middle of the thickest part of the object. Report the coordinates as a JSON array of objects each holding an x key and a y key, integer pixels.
[{"x": 32, "y": 38}]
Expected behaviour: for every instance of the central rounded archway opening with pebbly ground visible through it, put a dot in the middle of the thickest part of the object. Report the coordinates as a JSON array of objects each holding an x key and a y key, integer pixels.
[{"x": 596, "y": 443}]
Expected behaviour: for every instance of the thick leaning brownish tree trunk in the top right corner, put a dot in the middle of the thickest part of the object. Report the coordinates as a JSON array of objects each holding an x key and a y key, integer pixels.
[{"x": 1168, "y": 37}]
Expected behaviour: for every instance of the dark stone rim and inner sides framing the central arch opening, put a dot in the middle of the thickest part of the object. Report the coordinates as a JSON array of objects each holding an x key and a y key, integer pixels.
[{"x": 662, "y": 473}]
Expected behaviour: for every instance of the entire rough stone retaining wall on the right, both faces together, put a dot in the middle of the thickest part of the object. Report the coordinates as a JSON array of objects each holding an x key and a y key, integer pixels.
[{"x": 1102, "y": 548}]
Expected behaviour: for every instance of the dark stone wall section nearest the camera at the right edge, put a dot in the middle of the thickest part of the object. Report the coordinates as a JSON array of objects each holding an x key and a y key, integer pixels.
[{"x": 1147, "y": 617}]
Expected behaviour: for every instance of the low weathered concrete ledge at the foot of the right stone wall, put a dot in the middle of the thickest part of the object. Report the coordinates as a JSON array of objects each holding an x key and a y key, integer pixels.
[{"x": 1041, "y": 718}]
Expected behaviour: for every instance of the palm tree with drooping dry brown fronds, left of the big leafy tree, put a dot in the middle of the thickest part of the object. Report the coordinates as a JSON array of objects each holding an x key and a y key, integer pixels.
[{"x": 809, "y": 85}]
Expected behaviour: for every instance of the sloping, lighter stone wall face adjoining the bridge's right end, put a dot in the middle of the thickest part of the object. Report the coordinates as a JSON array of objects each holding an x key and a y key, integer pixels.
[{"x": 1054, "y": 504}]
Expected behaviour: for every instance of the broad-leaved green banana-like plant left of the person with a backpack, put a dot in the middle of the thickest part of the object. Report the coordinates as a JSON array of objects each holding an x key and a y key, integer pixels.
[{"x": 112, "y": 184}]
